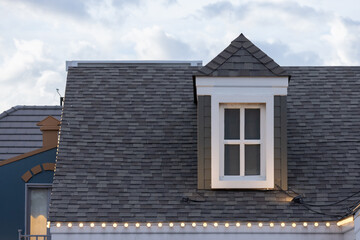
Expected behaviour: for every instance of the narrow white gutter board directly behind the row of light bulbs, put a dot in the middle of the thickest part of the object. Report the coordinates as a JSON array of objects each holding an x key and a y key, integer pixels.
[{"x": 188, "y": 227}]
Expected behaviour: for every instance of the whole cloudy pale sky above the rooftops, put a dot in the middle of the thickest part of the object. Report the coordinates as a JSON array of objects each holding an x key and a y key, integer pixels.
[{"x": 38, "y": 36}]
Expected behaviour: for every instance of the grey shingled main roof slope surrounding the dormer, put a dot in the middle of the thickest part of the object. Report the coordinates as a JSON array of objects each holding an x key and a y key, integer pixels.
[{"x": 128, "y": 148}]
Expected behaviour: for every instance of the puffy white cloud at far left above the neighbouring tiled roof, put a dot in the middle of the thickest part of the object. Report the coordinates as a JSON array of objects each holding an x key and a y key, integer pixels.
[{"x": 23, "y": 81}]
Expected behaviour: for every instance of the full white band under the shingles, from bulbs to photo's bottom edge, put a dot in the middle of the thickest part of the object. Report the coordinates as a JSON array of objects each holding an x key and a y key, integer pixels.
[{"x": 203, "y": 230}]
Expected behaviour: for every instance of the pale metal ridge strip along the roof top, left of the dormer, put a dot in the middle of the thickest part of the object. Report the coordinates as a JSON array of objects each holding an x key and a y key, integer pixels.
[{"x": 75, "y": 63}]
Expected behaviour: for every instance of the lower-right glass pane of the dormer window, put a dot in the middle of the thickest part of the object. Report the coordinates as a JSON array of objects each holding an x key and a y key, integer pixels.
[{"x": 252, "y": 159}]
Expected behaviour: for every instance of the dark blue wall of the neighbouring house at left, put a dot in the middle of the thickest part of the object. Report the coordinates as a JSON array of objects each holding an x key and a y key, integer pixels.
[{"x": 12, "y": 191}]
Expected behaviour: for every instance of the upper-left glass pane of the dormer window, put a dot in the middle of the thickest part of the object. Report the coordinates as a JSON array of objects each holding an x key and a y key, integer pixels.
[{"x": 232, "y": 124}]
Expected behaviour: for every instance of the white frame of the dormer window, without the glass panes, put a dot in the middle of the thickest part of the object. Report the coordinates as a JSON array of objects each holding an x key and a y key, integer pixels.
[{"x": 266, "y": 178}]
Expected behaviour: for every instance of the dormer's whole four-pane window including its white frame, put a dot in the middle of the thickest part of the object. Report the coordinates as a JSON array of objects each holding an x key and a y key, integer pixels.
[{"x": 242, "y": 132}]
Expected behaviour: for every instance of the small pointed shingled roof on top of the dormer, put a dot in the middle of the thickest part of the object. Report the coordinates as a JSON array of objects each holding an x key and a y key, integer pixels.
[{"x": 242, "y": 58}]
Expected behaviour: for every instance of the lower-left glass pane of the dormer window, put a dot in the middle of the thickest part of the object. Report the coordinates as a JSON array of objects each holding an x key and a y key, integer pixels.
[{"x": 232, "y": 159}]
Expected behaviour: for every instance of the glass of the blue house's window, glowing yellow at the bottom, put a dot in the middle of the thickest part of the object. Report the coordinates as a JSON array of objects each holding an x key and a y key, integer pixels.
[{"x": 38, "y": 211}]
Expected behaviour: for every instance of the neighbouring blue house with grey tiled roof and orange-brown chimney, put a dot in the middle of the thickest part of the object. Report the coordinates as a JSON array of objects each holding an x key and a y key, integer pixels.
[{"x": 28, "y": 142}]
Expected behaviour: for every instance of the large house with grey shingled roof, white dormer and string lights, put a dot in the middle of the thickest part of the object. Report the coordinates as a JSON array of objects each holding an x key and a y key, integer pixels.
[{"x": 240, "y": 148}]
